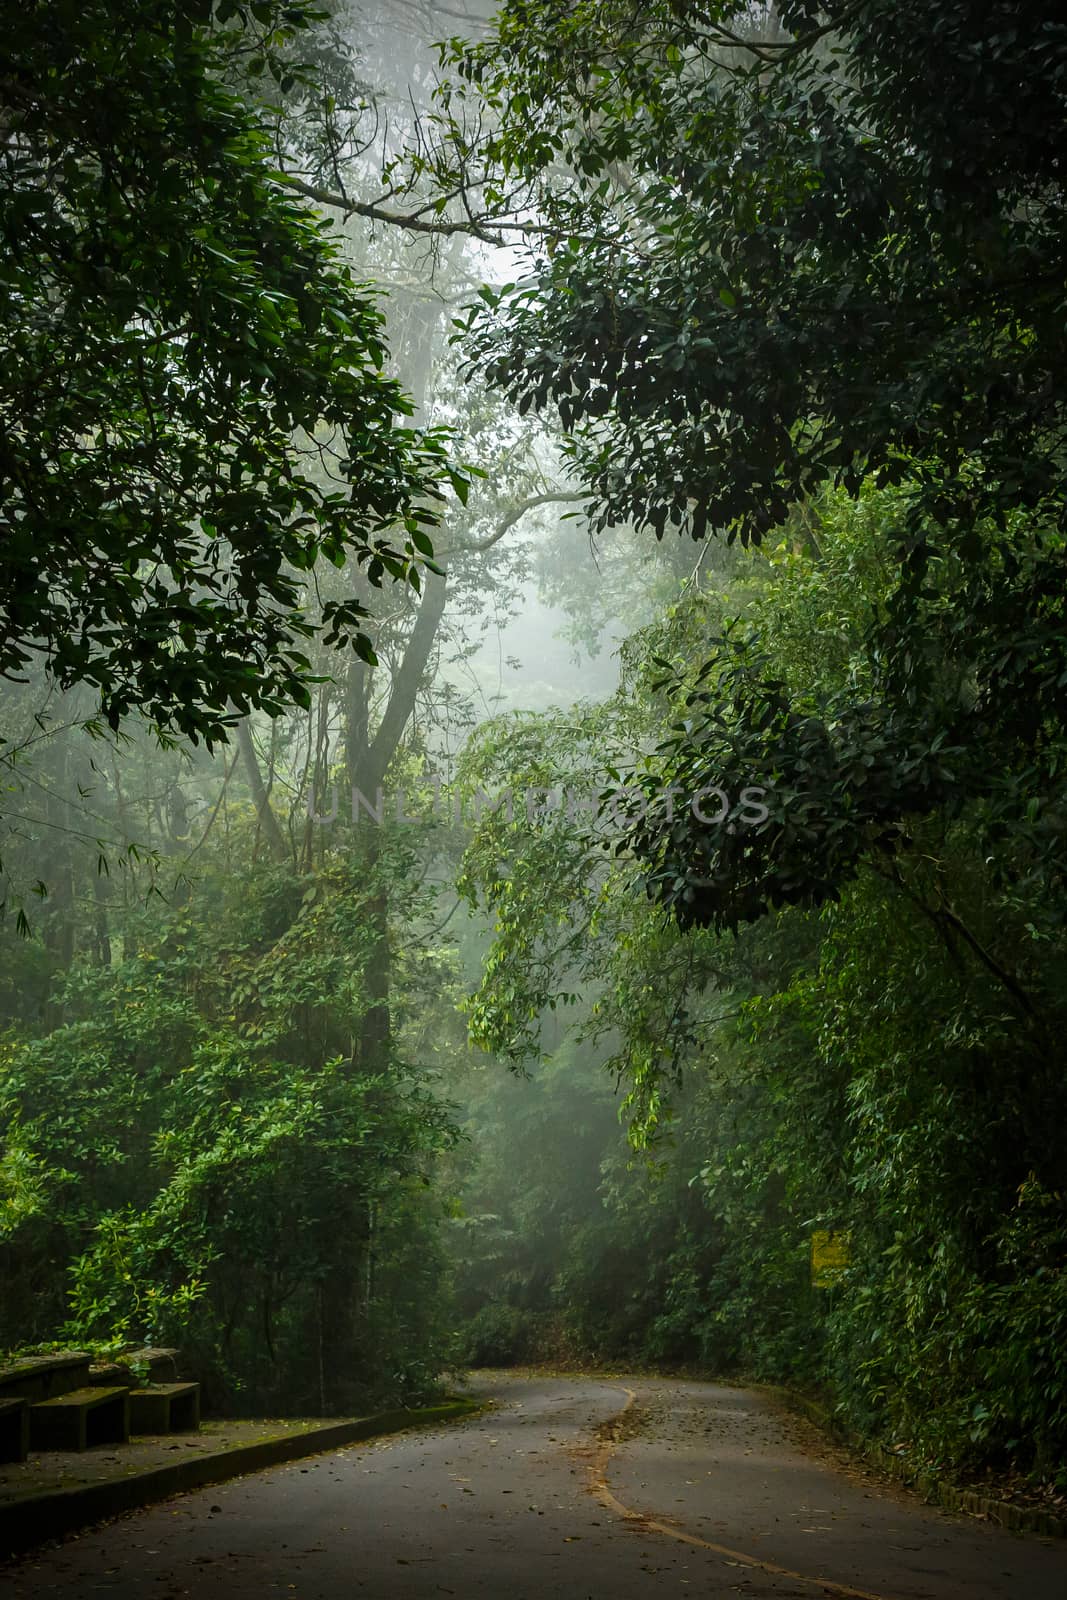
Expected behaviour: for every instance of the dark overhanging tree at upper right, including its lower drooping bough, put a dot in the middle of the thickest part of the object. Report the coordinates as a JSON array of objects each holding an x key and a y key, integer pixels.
[{"x": 780, "y": 258}]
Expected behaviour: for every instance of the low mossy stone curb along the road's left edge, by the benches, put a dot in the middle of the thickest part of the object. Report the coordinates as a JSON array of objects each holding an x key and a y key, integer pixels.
[{"x": 42, "y": 1518}]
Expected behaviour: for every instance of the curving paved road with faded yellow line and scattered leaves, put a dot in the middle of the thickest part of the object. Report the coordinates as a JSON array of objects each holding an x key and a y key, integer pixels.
[{"x": 572, "y": 1489}]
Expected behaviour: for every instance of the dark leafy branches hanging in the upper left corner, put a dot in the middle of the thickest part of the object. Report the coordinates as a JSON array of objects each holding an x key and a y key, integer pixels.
[{"x": 194, "y": 394}]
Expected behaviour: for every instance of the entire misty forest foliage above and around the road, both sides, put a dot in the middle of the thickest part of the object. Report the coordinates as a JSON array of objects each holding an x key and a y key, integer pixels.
[{"x": 772, "y": 938}]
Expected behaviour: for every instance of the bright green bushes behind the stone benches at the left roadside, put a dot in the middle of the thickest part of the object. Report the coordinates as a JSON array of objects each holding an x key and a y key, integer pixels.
[{"x": 194, "y": 1158}]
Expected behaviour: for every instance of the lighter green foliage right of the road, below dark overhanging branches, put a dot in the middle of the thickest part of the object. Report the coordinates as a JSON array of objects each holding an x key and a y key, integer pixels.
[{"x": 889, "y": 1070}]
